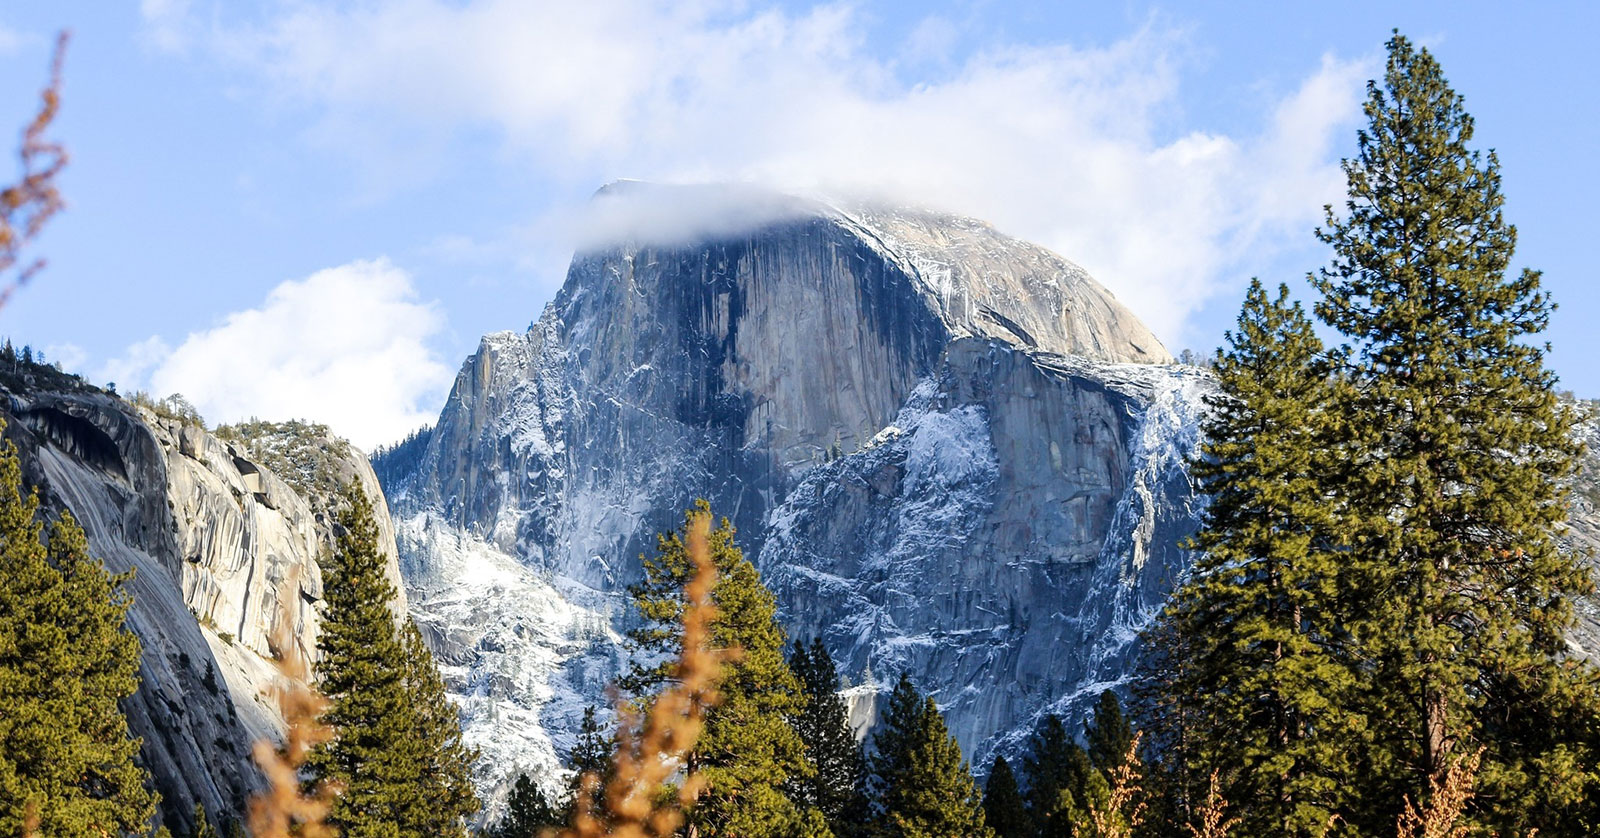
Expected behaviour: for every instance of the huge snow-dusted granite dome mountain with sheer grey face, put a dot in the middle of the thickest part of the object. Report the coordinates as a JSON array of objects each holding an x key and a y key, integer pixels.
[{"x": 948, "y": 450}]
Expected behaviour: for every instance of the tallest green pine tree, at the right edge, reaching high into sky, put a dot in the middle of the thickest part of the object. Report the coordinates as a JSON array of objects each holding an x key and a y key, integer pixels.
[{"x": 1457, "y": 453}]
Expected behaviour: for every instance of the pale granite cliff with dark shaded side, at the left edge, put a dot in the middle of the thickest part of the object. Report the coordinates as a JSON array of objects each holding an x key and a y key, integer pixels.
[{"x": 220, "y": 546}]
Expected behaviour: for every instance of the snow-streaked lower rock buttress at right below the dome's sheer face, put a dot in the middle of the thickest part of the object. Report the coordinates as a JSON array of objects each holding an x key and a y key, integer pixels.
[{"x": 1006, "y": 540}]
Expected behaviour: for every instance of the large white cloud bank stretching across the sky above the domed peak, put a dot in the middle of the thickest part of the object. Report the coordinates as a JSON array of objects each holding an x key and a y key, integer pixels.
[{"x": 1066, "y": 146}]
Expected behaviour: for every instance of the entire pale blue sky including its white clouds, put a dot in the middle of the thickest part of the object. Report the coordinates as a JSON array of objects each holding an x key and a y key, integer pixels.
[{"x": 292, "y": 209}]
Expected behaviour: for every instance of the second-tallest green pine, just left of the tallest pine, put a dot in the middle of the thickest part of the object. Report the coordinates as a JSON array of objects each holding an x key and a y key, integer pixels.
[{"x": 1255, "y": 640}]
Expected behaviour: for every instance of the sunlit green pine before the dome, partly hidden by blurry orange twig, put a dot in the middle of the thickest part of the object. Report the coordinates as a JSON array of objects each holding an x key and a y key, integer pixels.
[{"x": 748, "y": 751}]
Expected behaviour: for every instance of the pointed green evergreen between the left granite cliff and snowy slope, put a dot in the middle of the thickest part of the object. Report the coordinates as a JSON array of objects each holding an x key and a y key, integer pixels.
[{"x": 394, "y": 754}]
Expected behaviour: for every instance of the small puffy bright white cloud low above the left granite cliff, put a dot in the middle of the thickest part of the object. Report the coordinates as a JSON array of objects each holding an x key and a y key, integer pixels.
[{"x": 346, "y": 346}]
